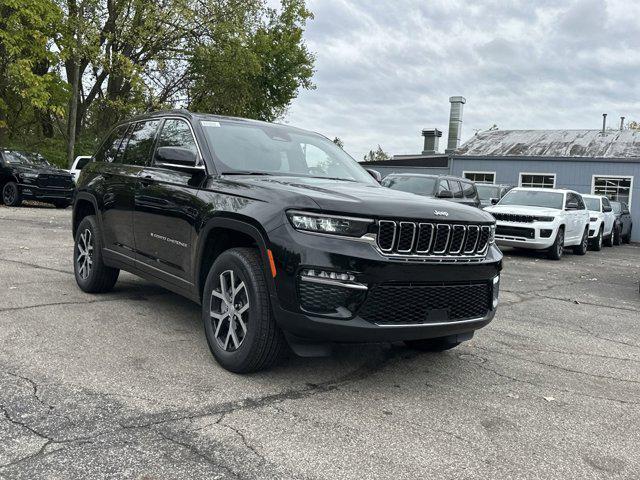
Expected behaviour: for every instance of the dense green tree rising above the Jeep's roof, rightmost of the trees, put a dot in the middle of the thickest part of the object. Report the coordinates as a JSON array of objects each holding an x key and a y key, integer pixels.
[{"x": 253, "y": 63}]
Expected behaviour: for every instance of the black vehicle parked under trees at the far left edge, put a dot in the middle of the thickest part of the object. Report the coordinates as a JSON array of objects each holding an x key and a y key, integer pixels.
[{"x": 26, "y": 175}]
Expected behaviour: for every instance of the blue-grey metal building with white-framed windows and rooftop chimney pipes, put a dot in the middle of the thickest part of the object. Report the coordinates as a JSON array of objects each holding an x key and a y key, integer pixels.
[{"x": 603, "y": 161}]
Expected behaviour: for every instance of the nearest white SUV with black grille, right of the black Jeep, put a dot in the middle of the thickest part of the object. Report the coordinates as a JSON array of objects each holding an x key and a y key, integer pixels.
[{"x": 542, "y": 219}]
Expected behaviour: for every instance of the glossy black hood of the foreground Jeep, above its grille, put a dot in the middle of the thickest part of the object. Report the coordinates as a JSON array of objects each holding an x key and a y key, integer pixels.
[{"x": 339, "y": 196}]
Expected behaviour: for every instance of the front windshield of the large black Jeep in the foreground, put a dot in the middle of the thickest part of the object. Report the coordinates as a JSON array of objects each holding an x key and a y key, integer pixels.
[{"x": 268, "y": 149}]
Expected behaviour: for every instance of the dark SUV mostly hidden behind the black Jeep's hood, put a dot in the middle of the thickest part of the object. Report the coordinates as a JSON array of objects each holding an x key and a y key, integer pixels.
[{"x": 455, "y": 189}]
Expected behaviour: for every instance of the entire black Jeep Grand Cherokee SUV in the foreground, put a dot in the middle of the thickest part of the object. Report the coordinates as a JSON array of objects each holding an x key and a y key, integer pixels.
[{"x": 281, "y": 237}]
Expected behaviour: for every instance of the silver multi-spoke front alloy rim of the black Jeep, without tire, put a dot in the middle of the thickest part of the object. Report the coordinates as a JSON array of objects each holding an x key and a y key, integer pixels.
[{"x": 229, "y": 311}]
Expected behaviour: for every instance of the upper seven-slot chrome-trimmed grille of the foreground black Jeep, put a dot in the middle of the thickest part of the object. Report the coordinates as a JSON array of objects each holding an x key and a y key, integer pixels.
[{"x": 432, "y": 239}]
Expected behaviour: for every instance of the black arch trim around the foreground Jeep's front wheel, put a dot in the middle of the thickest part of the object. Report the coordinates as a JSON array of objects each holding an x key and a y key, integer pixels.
[{"x": 222, "y": 233}]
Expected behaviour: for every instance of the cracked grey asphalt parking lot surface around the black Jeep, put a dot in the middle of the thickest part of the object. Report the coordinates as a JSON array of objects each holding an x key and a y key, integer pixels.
[{"x": 122, "y": 385}]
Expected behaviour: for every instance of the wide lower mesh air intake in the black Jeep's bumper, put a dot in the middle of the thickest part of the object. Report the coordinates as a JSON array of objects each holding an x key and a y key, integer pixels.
[{"x": 412, "y": 304}]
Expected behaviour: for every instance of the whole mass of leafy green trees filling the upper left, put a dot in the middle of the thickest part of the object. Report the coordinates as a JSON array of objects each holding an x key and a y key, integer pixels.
[{"x": 109, "y": 59}]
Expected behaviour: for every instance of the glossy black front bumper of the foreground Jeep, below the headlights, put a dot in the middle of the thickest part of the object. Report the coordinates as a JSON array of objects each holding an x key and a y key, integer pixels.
[{"x": 295, "y": 252}]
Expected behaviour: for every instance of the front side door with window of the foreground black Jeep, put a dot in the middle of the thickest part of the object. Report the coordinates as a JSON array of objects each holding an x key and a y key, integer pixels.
[{"x": 166, "y": 209}]
